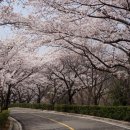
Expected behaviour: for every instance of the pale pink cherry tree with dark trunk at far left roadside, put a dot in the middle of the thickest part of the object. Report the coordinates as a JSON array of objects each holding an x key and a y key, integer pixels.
[{"x": 17, "y": 64}]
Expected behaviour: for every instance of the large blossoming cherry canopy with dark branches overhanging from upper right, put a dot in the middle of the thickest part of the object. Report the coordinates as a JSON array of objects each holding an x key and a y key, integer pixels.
[{"x": 107, "y": 27}]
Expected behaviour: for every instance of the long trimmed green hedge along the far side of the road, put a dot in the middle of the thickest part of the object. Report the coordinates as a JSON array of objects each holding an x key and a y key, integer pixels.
[{"x": 113, "y": 112}]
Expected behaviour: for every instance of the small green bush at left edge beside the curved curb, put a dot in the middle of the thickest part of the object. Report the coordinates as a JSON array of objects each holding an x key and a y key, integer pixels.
[{"x": 3, "y": 118}]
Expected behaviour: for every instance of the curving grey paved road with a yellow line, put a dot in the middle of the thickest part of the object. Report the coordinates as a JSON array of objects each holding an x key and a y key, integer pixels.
[{"x": 42, "y": 120}]
